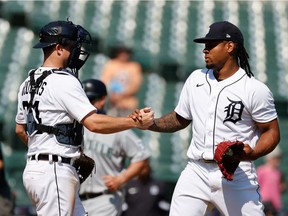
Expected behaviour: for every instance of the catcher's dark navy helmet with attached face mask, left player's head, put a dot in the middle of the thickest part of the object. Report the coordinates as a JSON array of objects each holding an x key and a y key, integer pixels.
[{"x": 66, "y": 33}]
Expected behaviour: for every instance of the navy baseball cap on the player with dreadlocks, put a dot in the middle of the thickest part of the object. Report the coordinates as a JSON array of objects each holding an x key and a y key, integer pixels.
[{"x": 222, "y": 30}]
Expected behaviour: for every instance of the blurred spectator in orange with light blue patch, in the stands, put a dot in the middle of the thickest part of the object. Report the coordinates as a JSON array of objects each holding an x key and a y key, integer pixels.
[{"x": 123, "y": 78}]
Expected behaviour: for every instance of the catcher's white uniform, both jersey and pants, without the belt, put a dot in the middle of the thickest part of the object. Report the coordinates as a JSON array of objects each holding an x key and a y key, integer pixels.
[{"x": 60, "y": 99}]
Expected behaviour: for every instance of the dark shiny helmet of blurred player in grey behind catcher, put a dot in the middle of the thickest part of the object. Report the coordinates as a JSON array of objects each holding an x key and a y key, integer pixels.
[{"x": 94, "y": 89}]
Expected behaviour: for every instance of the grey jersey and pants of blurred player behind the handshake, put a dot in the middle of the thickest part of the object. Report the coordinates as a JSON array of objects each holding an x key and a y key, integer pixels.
[{"x": 110, "y": 152}]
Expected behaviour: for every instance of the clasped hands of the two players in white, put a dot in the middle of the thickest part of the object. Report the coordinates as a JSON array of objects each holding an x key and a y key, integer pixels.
[{"x": 143, "y": 118}]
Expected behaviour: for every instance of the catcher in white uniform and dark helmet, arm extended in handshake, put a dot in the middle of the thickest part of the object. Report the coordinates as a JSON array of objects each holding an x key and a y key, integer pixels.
[{"x": 52, "y": 107}]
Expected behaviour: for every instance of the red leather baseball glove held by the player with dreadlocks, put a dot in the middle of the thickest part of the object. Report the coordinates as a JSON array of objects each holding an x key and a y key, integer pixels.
[{"x": 225, "y": 157}]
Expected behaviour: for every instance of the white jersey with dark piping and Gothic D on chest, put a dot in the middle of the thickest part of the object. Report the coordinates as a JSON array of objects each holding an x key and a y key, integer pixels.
[{"x": 224, "y": 110}]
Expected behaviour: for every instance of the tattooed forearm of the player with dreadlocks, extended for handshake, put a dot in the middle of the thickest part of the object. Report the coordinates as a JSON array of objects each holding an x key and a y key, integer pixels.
[{"x": 169, "y": 123}]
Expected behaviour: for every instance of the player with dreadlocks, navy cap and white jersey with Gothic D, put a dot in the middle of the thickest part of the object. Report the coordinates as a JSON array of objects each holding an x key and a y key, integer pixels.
[{"x": 224, "y": 102}]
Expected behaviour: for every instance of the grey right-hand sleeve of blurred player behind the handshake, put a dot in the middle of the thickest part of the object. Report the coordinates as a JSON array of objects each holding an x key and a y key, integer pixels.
[{"x": 133, "y": 146}]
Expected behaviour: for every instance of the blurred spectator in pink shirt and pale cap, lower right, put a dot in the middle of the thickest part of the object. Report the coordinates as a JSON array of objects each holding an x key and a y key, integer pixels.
[{"x": 272, "y": 183}]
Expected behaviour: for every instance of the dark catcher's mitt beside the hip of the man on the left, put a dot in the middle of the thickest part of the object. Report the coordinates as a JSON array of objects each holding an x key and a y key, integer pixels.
[{"x": 84, "y": 166}]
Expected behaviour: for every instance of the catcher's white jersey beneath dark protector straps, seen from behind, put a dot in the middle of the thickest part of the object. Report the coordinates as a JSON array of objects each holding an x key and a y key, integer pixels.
[{"x": 60, "y": 99}]
